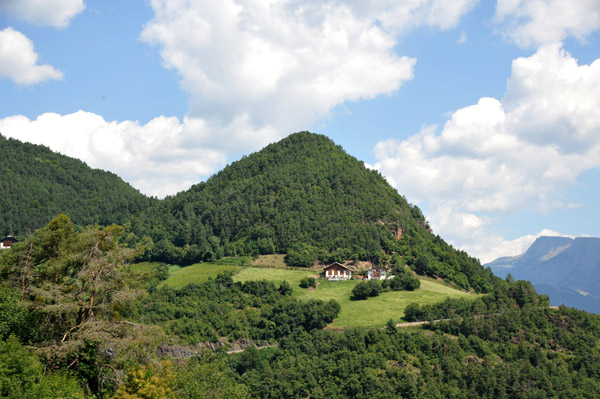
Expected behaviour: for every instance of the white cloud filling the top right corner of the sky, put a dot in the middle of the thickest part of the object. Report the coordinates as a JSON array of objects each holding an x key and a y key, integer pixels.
[{"x": 538, "y": 22}]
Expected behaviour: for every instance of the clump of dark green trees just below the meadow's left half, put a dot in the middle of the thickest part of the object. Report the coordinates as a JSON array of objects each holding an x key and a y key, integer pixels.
[{"x": 221, "y": 308}]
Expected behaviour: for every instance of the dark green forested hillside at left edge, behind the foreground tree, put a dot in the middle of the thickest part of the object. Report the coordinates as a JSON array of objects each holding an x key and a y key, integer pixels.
[{"x": 37, "y": 184}]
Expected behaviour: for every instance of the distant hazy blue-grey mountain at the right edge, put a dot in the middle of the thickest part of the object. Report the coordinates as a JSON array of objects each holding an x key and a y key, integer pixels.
[{"x": 568, "y": 270}]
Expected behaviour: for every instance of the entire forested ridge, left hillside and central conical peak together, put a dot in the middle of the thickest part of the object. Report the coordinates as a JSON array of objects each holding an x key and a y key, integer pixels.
[{"x": 303, "y": 196}]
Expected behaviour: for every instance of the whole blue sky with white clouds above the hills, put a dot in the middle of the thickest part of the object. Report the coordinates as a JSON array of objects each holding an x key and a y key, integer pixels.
[{"x": 485, "y": 114}]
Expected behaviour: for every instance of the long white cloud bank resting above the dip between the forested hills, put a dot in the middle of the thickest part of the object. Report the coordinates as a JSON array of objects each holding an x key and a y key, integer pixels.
[{"x": 162, "y": 157}]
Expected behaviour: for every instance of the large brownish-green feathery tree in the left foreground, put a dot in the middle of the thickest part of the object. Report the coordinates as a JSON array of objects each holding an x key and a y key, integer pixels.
[{"x": 74, "y": 287}]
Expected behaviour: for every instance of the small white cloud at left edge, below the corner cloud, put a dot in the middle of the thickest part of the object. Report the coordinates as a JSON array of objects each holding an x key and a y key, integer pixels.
[{"x": 18, "y": 60}]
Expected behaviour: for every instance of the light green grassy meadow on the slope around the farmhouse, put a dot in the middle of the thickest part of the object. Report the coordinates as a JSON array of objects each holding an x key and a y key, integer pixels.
[{"x": 373, "y": 312}]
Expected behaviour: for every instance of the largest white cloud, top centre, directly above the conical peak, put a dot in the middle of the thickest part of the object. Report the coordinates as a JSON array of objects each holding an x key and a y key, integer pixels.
[{"x": 282, "y": 65}]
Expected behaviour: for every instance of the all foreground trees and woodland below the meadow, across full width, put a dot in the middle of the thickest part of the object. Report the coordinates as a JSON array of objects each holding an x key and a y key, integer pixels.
[{"x": 77, "y": 321}]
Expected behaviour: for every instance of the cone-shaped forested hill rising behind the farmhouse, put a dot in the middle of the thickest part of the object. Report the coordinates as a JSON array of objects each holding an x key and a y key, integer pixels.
[{"x": 306, "y": 197}]
